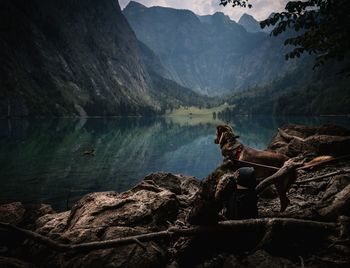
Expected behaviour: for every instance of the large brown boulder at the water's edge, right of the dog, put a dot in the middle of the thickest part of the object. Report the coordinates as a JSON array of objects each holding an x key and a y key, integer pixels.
[{"x": 293, "y": 140}]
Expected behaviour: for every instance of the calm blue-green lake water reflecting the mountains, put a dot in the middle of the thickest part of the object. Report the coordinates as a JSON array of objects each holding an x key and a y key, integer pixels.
[{"x": 43, "y": 161}]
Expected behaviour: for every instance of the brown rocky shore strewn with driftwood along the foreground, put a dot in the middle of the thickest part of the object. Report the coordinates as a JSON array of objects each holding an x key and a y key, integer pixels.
[{"x": 163, "y": 200}]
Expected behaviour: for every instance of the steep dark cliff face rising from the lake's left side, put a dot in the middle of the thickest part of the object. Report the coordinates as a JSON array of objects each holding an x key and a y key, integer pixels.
[{"x": 62, "y": 57}]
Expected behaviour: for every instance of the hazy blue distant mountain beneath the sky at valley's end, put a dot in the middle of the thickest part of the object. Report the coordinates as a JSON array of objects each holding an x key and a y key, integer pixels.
[{"x": 210, "y": 54}]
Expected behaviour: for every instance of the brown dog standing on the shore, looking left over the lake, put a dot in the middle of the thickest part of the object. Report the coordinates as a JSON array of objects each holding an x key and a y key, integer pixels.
[{"x": 232, "y": 149}]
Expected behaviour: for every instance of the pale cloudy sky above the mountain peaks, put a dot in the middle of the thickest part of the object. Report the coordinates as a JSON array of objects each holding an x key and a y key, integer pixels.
[{"x": 261, "y": 8}]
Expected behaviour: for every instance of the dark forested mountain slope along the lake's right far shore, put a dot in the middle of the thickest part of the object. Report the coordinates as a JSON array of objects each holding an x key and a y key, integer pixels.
[{"x": 321, "y": 92}]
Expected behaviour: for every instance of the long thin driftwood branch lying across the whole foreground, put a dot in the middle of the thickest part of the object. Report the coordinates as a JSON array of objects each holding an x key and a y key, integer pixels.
[{"x": 228, "y": 227}]
